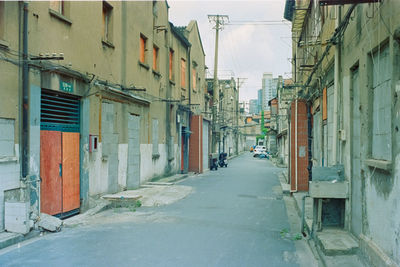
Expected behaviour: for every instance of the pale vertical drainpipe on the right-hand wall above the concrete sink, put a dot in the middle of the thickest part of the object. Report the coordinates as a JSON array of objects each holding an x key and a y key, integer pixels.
[{"x": 336, "y": 91}]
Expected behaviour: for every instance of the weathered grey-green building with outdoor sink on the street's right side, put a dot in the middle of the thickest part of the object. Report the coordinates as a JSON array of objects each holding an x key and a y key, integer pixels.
[{"x": 346, "y": 68}]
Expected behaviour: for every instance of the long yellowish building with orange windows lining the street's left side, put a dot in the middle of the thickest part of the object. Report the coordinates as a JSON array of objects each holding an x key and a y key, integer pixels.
[{"x": 110, "y": 109}]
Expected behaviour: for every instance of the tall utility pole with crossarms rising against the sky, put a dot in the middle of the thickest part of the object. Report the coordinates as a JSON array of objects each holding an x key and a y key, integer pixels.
[{"x": 219, "y": 21}]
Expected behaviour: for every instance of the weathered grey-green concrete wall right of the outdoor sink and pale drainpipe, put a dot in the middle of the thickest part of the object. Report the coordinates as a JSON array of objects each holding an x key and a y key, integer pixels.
[{"x": 376, "y": 191}]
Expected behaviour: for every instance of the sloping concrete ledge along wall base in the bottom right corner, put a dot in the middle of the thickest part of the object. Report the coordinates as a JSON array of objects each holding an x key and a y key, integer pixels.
[{"x": 374, "y": 254}]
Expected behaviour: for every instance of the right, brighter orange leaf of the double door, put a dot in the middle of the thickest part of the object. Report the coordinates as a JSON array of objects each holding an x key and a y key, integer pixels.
[{"x": 70, "y": 175}]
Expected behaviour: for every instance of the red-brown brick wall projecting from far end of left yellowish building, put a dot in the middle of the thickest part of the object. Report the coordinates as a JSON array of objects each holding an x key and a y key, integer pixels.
[{"x": 196, "y": 144}]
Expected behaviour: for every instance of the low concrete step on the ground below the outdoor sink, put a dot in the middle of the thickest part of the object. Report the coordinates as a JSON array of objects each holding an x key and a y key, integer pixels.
[{"x": 336, "y": 242}]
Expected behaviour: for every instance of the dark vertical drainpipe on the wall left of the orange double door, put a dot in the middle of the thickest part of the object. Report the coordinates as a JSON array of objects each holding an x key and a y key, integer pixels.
[{"x": 25, "y": 93}]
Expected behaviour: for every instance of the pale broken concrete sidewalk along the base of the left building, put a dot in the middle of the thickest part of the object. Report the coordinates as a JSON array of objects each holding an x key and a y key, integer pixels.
[{"x": 161, "y": 192}]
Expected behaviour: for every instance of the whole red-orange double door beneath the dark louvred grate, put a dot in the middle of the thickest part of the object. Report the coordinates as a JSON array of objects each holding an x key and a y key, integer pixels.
[{"x": 59, "y": 169}]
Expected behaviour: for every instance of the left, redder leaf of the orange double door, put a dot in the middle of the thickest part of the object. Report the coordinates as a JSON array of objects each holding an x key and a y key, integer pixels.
[{"x": 50, "y": 170}]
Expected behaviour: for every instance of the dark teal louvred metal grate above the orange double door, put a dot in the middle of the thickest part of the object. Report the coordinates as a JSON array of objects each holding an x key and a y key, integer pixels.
[{"x": 59, "y": 111}]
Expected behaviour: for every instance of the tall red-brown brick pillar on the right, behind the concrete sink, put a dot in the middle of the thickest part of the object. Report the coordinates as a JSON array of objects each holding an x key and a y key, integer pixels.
[{"x": 302, "y": 146}]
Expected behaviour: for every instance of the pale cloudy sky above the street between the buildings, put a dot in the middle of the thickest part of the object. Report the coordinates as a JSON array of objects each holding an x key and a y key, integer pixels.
[{"x": 246, "y": 48}]
